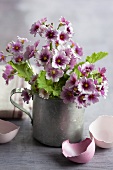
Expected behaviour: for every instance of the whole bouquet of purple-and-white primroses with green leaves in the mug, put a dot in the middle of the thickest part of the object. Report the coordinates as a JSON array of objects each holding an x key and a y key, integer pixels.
[{"x": 60, "y": 74}]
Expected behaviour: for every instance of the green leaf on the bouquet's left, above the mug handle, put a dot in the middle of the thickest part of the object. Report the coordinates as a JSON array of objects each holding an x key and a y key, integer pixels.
[{"x": 23, "y": 70}]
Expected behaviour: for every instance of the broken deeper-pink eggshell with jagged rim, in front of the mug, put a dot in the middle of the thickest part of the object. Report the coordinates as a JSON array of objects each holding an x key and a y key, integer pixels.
[{"x": 81, "y": 152}]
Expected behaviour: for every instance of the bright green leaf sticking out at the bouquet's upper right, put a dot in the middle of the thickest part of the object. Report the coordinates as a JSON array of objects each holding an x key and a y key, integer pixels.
[{"x": 96, "y": 56}]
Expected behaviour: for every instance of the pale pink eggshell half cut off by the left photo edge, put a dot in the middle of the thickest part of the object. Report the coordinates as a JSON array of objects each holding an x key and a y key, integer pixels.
[{"x": 8, "y": 131}]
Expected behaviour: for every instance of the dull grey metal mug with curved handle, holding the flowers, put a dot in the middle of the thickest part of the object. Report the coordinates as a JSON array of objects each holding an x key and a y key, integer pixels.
[{"x": 54, "y": 121}]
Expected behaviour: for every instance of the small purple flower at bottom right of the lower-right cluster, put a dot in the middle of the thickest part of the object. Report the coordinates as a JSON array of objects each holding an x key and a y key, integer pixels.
[{"x": 93, "y": 98}]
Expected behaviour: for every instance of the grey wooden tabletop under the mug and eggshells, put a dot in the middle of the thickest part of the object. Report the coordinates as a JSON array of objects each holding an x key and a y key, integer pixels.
[{"x": 25, "y": 153}]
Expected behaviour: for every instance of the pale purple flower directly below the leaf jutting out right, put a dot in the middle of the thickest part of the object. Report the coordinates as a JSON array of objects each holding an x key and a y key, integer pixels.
[{"x": 86, "y": 68}]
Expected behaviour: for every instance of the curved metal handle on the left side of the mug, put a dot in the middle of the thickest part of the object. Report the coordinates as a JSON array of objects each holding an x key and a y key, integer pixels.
[{"x": 19, "y": 90}]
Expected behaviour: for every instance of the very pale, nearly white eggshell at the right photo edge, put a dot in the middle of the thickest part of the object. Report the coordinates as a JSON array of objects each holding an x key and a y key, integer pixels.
[{"x": 102, "y": 131}]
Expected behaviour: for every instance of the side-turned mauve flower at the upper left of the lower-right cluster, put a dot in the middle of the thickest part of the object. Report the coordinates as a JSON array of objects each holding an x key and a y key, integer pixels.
[{"x": 72, "y": 81}]
